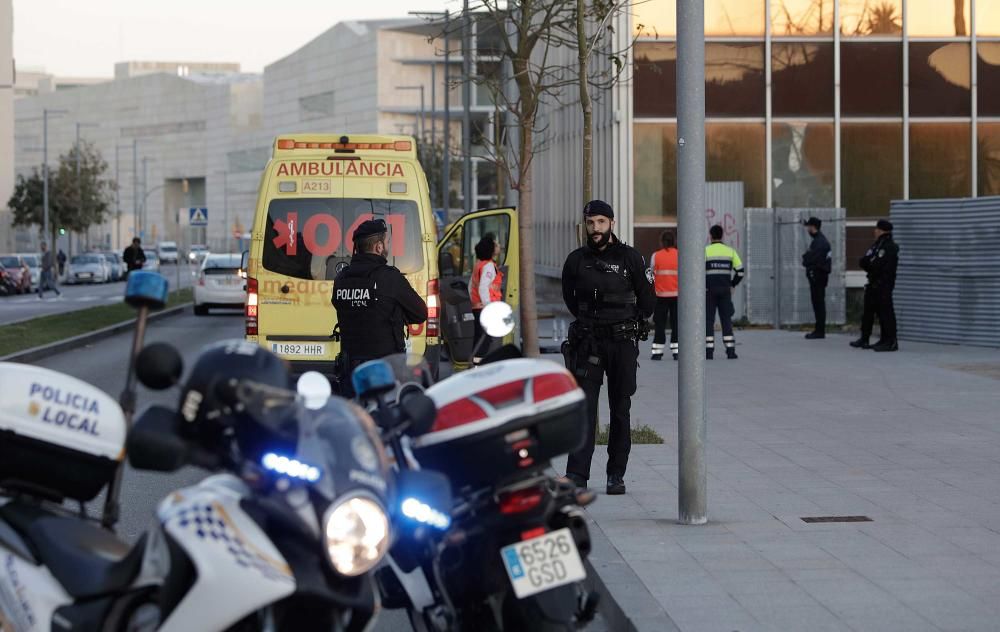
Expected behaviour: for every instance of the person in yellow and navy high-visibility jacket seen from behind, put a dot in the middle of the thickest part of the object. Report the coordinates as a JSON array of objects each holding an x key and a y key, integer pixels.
[{"x": 723, "y": 272}]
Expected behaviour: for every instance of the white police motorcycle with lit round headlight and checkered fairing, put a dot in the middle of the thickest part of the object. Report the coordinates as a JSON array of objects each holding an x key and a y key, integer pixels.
[{"x": 282, "y": 535}]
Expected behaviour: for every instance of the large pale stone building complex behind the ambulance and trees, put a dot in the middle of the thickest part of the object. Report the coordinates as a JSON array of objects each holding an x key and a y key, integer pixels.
[{"x": 211, "y": 126}]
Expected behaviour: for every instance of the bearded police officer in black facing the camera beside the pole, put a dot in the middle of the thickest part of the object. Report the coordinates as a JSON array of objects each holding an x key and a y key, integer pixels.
[{"x": 605, "y": 287}]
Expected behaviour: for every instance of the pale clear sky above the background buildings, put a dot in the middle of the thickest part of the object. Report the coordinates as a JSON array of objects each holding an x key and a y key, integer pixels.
[{"x": 84, "y": 38}]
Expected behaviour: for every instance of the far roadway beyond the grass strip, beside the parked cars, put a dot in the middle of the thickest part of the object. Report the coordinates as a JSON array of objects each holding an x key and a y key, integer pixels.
[{"x": 25, "y": 306}]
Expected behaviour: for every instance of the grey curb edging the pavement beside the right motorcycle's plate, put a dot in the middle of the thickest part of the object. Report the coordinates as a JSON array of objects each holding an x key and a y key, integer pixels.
[{"x": 627, "y": 606}]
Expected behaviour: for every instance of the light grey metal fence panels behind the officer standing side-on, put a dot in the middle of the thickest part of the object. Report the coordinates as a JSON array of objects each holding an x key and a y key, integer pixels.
[{"x": 765, "y": 227}]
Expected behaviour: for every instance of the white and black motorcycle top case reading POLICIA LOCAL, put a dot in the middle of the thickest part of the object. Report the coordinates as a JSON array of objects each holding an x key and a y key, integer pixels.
[{"x": 59, "y": 436}]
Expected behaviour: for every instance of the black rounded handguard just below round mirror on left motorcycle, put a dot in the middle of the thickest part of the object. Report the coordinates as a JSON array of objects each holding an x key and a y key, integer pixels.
[{"x": 154, "y": 442}]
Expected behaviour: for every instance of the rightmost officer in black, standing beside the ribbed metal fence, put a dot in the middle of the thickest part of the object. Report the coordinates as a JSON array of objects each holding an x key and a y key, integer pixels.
[{"x": 880, "y": 262}]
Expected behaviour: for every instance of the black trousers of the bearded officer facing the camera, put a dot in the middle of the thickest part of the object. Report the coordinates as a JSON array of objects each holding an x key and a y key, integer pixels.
[{"x": 619, "y": 360}]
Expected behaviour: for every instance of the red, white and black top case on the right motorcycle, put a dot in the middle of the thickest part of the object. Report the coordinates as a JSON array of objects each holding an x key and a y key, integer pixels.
[{"x": 502, "y": 419}]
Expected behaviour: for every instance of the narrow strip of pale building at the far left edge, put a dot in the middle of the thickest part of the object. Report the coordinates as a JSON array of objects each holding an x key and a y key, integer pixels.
[{"x": 6, "y": 117}]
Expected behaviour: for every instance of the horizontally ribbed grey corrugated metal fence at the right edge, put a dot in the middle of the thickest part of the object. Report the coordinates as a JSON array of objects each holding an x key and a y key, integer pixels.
[{"x": 948, "y": 286}]
